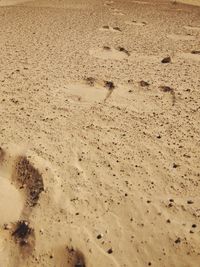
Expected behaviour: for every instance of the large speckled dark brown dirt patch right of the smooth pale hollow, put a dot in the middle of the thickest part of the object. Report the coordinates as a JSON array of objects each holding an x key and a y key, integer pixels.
[{"x": 30, "y": 179}]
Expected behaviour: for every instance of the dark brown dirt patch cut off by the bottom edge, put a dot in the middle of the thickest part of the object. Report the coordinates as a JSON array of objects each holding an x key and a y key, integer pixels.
[{"x": 75, "y": 258}]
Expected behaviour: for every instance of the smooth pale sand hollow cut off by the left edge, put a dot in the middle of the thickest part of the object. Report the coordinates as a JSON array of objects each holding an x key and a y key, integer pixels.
[{"x": 11, "y": 203}]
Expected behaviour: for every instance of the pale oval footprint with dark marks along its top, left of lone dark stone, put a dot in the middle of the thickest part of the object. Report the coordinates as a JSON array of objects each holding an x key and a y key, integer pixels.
[{"x": 107, "y": 52}]
